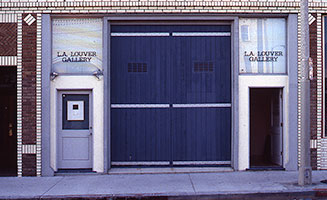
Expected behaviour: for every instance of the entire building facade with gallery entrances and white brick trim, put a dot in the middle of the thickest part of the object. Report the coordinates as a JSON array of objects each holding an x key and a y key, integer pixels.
[{"x": 96, "y": 85}]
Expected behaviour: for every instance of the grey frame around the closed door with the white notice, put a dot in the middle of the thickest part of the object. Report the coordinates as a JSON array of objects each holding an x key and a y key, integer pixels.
[{"x": 59, "y": 120}]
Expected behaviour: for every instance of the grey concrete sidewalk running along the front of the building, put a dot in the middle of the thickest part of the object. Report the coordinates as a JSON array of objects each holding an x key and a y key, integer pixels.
[{"x": 220, "y": 185}]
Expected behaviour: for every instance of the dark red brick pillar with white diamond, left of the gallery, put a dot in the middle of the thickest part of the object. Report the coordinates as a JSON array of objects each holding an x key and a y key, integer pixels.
[{"x": 29, "y": 92}]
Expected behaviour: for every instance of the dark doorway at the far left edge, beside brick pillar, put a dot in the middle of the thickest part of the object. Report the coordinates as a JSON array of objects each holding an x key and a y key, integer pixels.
[{"x": 8, "y": 137}]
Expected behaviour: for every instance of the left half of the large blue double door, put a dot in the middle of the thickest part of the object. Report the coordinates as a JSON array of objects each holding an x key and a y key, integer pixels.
[{"x": 140, "y": 117}]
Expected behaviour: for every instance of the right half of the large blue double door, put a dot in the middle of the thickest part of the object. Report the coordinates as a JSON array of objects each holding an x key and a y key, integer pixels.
[{"x": 201, "y": 94}]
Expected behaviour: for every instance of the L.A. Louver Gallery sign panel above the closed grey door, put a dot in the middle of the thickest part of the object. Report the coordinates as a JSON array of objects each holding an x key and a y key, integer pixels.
[{"x": 77, "y": 45}]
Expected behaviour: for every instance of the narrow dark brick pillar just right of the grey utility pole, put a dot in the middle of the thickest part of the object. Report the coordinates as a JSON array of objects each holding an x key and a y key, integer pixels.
[{"x": 313, "y": 90}]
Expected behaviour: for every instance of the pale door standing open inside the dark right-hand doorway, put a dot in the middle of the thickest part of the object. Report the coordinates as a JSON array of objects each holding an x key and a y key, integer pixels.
[{"x": 277, "y": 127}]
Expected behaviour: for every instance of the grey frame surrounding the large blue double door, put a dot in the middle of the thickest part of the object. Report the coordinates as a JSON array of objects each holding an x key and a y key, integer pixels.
[{"x": 177, "y": 20}]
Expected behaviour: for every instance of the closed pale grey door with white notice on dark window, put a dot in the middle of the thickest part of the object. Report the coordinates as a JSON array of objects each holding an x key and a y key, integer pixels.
[{"x": 74, "y": 130}]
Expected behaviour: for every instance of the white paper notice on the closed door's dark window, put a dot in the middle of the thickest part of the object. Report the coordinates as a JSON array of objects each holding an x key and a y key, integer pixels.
[{"x": 75, "y": 110}]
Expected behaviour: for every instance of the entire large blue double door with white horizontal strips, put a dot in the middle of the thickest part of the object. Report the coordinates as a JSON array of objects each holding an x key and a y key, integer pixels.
[{"x": 170, "y": 95}]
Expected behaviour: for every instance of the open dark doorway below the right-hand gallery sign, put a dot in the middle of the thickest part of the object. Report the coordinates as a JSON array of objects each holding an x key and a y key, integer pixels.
[{"x": 266, "y": 123}]
